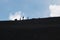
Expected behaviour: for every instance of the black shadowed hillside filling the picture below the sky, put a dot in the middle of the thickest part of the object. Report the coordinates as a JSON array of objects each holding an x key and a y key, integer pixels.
[{"x": 31, "y": 29}]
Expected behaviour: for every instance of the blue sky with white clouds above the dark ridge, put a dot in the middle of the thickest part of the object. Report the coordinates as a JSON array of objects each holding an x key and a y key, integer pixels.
[{"x": 28, "y": 8}]
